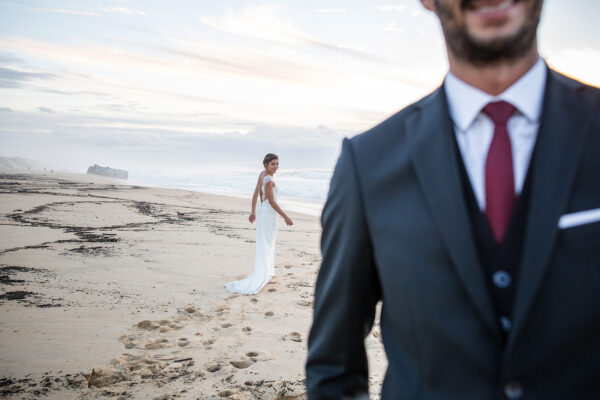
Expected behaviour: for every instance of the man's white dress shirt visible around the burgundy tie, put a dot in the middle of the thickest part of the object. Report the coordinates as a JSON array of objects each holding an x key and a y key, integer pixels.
[{"x": 474, "y": 130}]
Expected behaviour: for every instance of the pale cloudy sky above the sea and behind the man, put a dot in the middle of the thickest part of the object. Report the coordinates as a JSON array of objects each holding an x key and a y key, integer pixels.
[{"x": 174, "y": 84}]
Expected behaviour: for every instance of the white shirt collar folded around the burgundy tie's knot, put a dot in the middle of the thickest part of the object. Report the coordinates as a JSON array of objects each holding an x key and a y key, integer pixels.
[{"x": 465, "y": 102}]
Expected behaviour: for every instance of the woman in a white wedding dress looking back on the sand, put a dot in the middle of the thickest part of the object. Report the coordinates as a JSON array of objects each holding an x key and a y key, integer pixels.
[{"x": 266, "y": 230}]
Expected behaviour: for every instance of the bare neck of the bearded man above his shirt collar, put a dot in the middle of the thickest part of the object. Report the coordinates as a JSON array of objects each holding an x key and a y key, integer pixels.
[{"x": 493, "y": 79}]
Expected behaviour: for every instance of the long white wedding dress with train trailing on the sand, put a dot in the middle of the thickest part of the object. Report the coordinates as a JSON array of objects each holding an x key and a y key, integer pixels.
[{"x": 264, "y": 261}]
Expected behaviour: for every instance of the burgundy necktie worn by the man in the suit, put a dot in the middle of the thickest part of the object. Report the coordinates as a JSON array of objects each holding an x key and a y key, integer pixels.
[{"x": 499, "y": 182}]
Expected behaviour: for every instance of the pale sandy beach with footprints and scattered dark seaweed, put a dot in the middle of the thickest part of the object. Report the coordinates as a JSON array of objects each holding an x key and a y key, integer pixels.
[{"x": 116, "y": 291}]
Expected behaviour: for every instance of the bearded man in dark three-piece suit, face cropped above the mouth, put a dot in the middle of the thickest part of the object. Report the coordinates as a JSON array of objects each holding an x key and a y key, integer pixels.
[{"x": 474, "y": 216}]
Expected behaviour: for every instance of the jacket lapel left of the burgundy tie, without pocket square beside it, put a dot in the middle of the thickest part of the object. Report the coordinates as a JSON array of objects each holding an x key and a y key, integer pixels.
[{"x": 433, "y": 155}]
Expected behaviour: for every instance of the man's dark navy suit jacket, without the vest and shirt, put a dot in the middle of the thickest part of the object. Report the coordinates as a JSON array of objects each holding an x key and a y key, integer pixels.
[{"x": 396, "y": 229}]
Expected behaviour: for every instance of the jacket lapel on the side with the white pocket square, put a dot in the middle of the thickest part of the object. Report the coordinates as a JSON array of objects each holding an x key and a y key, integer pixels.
[{"x": 563, "y": 128}]
